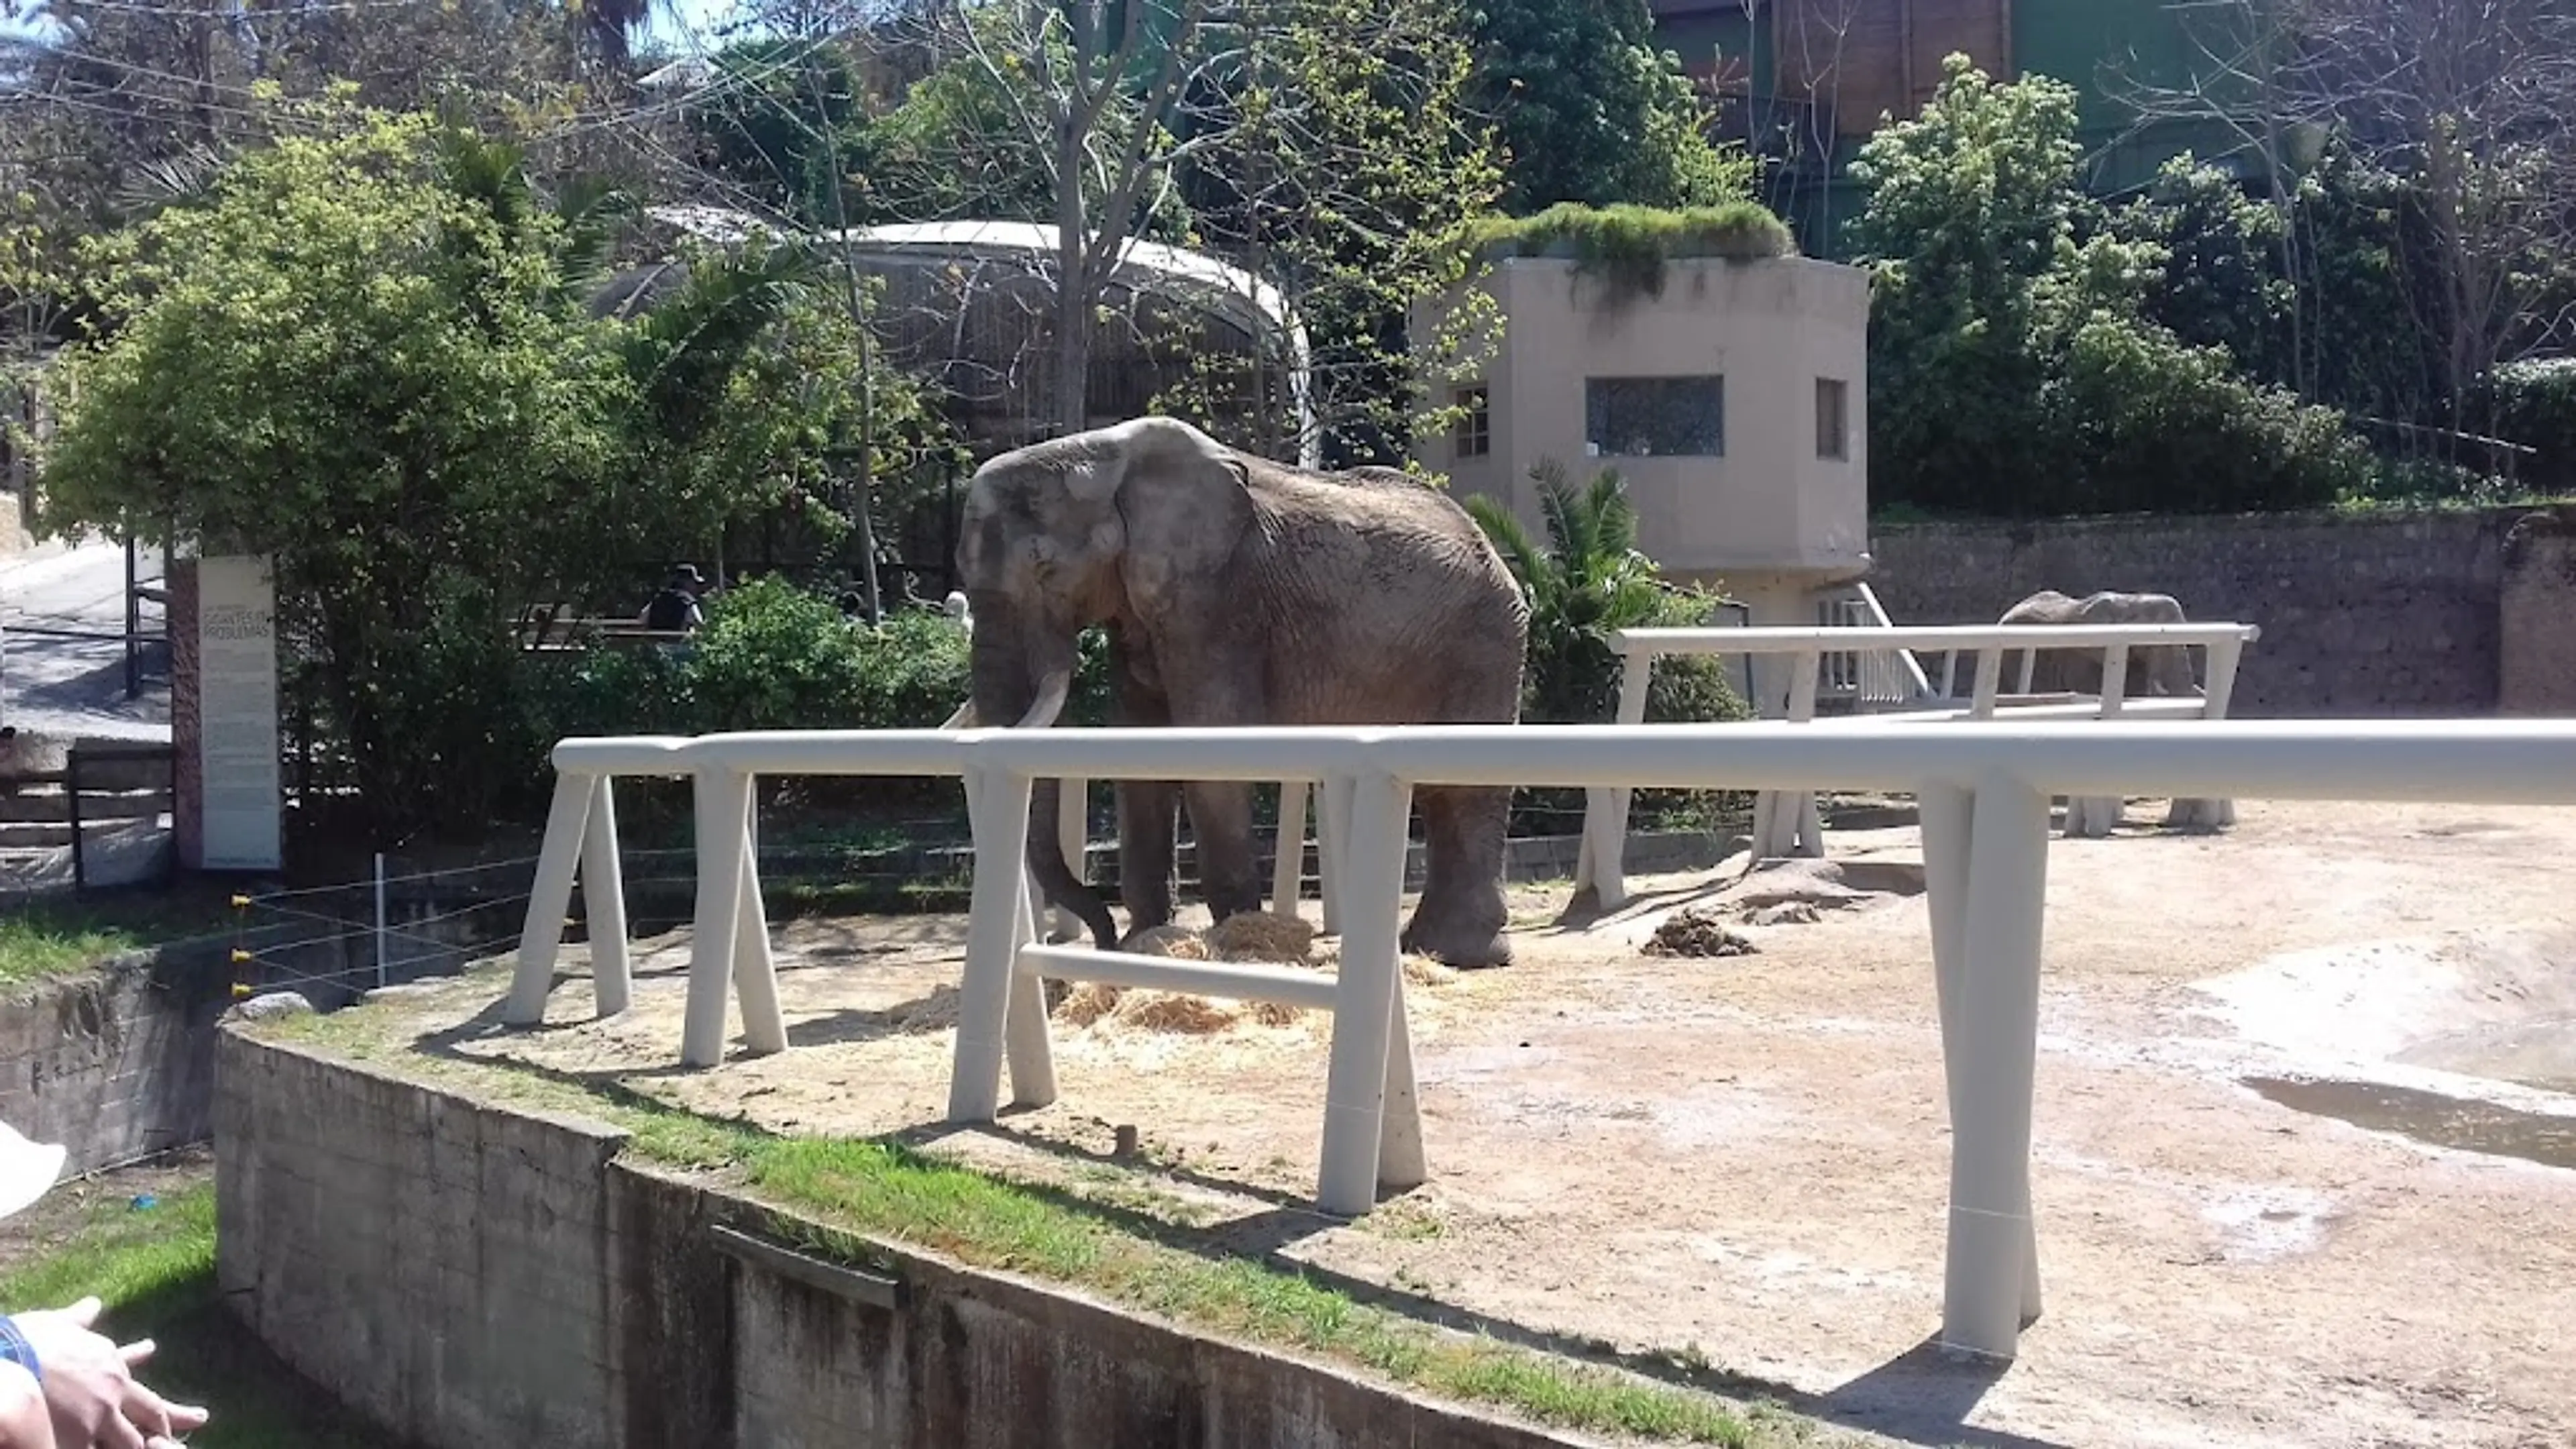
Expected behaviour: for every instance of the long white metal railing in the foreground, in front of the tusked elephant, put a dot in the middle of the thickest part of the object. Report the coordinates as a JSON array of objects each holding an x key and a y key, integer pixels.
[{"x": 1985, "y": 824}]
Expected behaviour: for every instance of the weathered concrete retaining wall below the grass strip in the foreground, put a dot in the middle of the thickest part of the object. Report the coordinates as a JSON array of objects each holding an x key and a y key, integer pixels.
[{"x": 493, "y": 1278}]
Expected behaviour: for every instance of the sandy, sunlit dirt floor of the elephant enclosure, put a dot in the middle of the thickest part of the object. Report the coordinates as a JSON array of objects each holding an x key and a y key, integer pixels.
[{"x": 1743, "y": 1159}]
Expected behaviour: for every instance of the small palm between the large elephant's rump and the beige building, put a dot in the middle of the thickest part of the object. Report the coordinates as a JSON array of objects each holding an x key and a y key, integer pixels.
[{"x": 1586, "y": 584}]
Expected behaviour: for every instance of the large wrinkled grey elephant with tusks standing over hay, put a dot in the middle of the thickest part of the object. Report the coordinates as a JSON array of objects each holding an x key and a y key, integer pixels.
[{"x": 1243, "y": 592}]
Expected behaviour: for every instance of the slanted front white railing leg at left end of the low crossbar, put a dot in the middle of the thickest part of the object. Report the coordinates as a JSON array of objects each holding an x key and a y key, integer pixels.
[{"x": 998, "y": 803}]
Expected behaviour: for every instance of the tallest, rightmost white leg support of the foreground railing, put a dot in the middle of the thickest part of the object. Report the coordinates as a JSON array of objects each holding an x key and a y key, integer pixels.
[{"x": 1993, "y": 1270}]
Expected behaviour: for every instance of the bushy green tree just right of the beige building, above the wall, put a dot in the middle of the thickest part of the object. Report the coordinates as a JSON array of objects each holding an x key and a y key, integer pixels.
[{"x": 2013, "y": 360}]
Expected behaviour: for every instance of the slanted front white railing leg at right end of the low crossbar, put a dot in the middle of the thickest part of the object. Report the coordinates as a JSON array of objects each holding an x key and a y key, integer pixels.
[{"x": 1364, "y": 997}]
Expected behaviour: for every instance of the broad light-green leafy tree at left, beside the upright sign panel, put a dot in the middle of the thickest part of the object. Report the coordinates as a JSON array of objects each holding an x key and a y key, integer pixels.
[{"x": 370, "y": 357}]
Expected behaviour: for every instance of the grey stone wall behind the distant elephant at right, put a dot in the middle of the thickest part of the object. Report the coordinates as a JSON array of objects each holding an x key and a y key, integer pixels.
[{"x": 2363, "y": 618}]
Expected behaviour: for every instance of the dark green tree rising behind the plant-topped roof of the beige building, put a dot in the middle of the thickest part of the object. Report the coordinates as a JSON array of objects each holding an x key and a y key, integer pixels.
[{"x": 1591, "y": 112}]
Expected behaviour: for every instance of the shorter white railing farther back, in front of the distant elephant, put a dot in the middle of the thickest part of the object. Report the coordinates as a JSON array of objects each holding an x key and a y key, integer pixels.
[{"x": 1786, "y": 824}]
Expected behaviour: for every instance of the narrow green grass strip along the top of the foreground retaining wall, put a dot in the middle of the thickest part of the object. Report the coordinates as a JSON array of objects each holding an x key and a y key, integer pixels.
[{"x": 893, "y": 1192}]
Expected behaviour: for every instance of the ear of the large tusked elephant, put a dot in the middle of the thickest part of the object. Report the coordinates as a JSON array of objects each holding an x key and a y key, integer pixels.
[{"x": 1186, "y": 504}]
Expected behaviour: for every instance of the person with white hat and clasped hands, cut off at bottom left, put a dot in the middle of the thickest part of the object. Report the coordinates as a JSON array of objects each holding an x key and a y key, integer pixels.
[{"x": 66, "y": 1386}]
